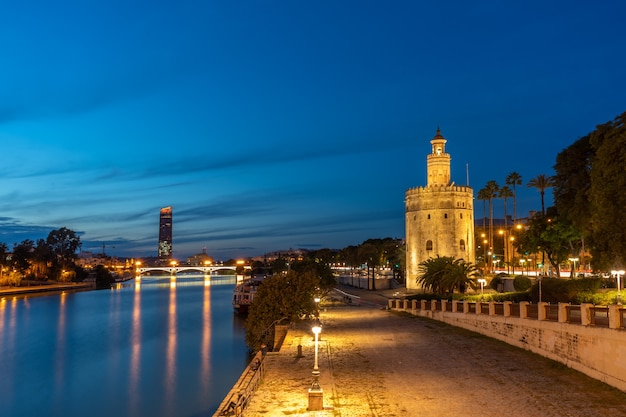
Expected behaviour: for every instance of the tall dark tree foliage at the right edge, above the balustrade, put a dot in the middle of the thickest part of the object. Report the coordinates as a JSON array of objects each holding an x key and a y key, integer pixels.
[{"x": 588, "y": 191}]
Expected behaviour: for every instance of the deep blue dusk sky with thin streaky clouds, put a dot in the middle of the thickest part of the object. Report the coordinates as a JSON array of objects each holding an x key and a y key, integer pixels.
[{"x": 277, "y": 124}]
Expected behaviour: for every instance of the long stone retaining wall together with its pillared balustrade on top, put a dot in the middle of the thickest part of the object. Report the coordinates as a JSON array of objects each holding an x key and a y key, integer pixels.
[{"x": 585, "y": 337}]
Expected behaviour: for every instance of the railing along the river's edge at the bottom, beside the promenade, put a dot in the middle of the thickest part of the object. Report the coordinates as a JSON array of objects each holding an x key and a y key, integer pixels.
[{"x": 240, "y": 395}]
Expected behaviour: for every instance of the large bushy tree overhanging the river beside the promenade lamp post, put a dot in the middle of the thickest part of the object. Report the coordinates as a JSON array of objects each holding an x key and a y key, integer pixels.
[{"x": 285, "y": 297}]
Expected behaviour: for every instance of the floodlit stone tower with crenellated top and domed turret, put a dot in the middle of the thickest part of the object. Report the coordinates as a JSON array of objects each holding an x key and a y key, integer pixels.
[{"x": 439, "y": 217}]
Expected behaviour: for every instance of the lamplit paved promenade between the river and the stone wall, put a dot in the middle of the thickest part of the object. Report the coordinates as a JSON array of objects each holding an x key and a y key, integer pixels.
[{"x": 374, "y": 362}]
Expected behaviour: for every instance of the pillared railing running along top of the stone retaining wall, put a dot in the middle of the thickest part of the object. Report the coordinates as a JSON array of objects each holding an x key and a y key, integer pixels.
[{"x": 613, "y": 317}]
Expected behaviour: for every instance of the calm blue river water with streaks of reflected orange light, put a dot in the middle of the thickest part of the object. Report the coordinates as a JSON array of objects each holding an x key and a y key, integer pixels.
[{"x": 148, "y": 348}]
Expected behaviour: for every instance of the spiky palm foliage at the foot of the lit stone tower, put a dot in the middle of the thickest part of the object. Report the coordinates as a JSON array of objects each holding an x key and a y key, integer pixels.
[{"x": 443, "y": 274}]
